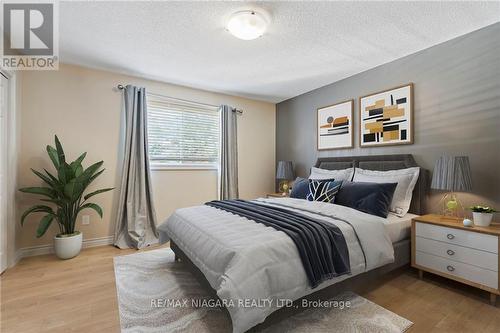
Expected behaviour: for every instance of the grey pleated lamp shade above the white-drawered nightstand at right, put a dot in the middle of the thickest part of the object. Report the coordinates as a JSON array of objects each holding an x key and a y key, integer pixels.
[{"x": 452, "y": 173}]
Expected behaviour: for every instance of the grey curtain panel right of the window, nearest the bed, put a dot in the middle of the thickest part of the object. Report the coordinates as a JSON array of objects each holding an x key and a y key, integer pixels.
[{"x": 229, "y": 154}]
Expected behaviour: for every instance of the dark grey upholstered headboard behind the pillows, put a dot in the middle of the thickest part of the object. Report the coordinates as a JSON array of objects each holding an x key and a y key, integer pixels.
[{"x": 383, "y": 163}]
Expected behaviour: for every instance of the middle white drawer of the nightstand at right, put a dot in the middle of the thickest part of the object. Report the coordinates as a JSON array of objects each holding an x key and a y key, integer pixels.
[{"x": 462, "y": 254}]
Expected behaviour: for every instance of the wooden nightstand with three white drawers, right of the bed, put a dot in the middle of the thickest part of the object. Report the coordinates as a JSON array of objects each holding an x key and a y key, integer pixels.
[{"x": 442, "y": 245}]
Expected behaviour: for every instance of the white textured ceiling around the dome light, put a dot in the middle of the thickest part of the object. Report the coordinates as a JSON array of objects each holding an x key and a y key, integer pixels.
[{"x": 308, "y": 45}]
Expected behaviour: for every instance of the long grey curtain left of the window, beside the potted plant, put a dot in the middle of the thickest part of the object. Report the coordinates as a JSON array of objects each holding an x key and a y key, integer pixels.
[{"x": 136, "y": 219}]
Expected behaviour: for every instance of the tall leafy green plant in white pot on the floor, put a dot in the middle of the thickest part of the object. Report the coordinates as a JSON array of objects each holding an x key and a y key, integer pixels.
[{"x": 64, "y": 199}]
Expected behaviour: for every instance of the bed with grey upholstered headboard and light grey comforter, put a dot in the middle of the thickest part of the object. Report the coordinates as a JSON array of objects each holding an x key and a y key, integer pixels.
[{"x": 240, "y": 259}]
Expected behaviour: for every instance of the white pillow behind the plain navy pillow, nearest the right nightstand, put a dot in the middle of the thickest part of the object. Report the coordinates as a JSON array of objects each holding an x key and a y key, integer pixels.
[{"x": 406, "y": 179}]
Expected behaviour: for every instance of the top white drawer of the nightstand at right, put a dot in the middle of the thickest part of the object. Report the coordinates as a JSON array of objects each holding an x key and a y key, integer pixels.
[{"x": 470, "y": 239}]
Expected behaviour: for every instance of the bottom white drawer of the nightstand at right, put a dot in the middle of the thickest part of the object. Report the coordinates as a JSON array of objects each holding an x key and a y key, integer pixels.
[{"x": 471, "y": 273}]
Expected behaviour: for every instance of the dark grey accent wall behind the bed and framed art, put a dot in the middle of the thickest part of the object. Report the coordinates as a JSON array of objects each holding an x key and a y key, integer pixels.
[{"x": 456, "y": 111}]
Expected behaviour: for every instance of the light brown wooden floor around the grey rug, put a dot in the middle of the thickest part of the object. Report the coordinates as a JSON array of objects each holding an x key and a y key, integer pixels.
[{"x": 44, "y": 294}]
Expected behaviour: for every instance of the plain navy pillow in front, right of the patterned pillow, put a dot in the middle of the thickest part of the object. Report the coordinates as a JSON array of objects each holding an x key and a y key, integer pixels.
[{"x": 371, "y": 198}]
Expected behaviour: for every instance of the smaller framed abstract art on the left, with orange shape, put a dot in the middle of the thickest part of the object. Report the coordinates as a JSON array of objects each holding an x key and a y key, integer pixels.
[{"x": 334, "y": 126}]
